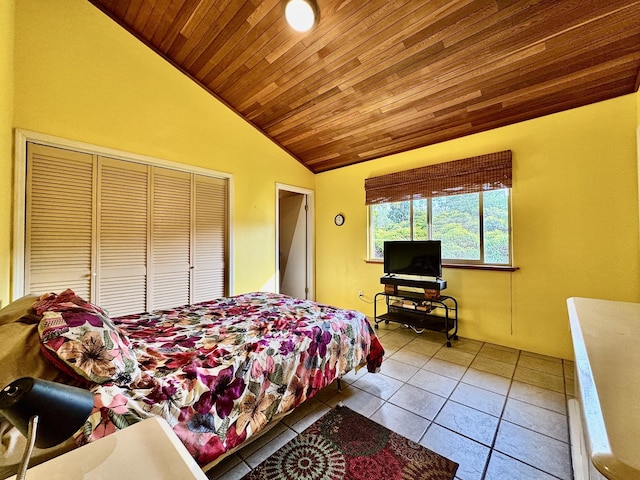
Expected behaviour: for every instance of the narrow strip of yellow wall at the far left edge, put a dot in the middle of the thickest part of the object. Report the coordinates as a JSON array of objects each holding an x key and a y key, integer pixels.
[{"x": 6, "y": 141}]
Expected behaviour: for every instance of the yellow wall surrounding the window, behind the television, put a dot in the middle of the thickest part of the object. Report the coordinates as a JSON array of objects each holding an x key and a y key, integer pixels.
[{"x": 575, "y": 226}]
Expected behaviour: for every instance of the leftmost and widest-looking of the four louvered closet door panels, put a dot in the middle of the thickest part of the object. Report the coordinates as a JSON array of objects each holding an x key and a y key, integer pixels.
[{"x": 59, "y": 223}]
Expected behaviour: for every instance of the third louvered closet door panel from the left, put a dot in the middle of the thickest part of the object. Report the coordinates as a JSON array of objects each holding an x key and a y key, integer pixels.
[{"x": 170, "y": 238}]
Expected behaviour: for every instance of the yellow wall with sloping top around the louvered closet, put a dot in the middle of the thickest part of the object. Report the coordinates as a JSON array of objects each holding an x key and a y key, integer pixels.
[{"x": 78, "y": 75}]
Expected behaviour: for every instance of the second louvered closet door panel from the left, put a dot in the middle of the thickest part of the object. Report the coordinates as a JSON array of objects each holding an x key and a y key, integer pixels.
[{"x": 122, "y": 236}]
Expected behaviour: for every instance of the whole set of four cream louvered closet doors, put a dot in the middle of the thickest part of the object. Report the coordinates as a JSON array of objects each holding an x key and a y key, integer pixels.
[{"x": 128, "y": 236}]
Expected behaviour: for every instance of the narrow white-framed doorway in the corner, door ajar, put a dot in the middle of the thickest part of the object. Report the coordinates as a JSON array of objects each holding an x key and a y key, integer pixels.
[{"x": 294, "y": 256}]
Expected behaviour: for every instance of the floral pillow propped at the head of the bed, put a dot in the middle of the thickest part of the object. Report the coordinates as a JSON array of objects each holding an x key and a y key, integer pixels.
[{"x": 81, "y": 340}]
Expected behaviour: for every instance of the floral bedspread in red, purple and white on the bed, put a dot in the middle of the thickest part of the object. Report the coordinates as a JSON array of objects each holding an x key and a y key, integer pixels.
[{"x": 219, "y": 371}]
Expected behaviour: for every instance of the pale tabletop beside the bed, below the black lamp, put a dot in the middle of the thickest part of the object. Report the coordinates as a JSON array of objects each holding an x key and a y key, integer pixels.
[{"x": 145, "y": 450}]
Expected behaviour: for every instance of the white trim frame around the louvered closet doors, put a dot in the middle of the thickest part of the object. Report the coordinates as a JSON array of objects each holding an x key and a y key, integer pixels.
[{"x": 22, "y": 137}]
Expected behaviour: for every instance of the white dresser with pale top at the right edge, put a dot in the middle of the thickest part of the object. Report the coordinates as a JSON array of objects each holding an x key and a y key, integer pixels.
[{"x": 606, "y": 342}]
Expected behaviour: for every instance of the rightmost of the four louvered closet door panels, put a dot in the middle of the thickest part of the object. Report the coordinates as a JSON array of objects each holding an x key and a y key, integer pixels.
[{"x": 209, "y": 239}]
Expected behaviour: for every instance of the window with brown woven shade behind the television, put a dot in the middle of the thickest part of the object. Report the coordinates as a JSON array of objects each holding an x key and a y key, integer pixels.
[{"x": 465, "y": 204}]
